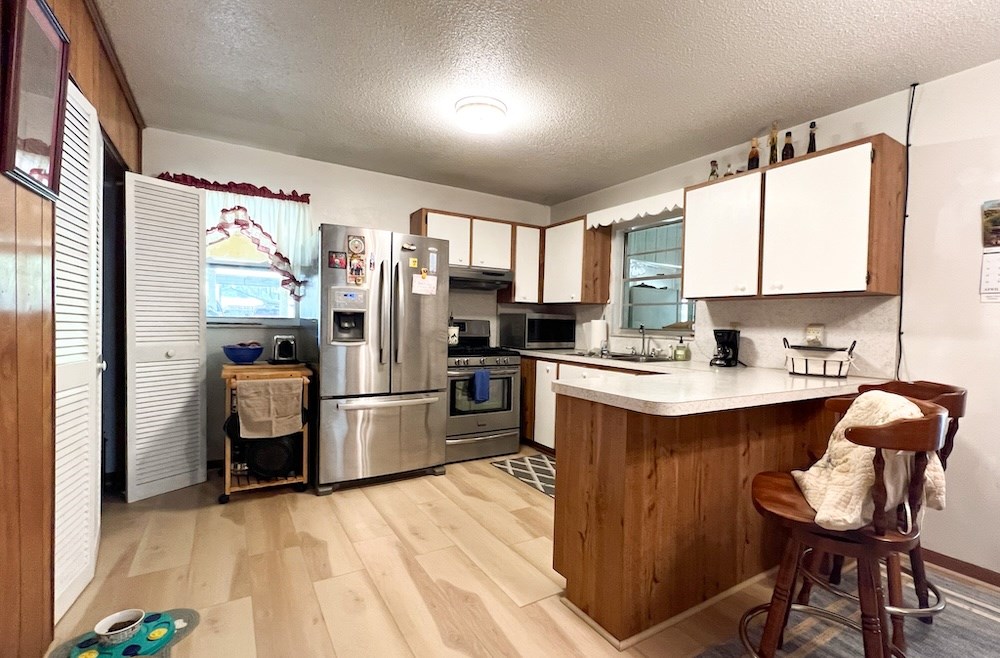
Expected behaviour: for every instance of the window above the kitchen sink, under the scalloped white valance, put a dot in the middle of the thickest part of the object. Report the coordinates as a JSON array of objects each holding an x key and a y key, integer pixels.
[{"x": 651, "y": 278}]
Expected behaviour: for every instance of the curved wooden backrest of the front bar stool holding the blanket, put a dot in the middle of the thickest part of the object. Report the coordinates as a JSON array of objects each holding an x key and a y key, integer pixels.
[{"x": 917, "y": 435}]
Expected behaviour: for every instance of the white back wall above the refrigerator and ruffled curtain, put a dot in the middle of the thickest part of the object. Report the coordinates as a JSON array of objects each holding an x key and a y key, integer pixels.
[{"x": 340, "y": 195}]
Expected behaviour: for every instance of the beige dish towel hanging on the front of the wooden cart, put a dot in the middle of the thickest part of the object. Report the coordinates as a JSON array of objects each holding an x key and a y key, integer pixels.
[{"x": 269, "y": 407}]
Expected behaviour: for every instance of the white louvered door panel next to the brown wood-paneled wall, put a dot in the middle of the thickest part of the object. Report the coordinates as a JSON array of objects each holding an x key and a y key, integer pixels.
[{"x": 78, "y": 360}]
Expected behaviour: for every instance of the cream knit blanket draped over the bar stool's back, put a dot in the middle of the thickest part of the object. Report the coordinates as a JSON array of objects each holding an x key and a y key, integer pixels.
[{"x": 839, "y": 485}]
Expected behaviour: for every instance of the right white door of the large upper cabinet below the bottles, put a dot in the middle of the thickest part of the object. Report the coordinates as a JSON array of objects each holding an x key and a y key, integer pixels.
[{"x": 816, "y": 217}]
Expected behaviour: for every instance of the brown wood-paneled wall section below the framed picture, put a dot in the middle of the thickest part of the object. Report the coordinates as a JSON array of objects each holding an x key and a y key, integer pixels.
[{"x": 26, "y": 420}]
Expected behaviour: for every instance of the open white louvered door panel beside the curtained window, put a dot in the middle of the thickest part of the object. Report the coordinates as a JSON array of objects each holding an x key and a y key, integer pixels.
[{"x": 165, "y": 329}]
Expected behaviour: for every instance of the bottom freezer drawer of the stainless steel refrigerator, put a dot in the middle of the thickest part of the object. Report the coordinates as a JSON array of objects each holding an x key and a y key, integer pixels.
[{"x": 380, "y": 435}]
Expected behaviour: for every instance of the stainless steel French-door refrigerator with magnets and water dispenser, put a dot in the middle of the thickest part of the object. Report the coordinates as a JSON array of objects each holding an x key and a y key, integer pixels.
[{"x": 375, "y": 317}]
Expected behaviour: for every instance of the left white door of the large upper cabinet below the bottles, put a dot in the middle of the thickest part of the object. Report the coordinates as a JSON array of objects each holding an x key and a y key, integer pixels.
[{"x": 722, "y": 238}]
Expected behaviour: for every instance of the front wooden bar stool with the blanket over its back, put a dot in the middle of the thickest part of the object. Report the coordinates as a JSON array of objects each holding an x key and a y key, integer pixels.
[{"x": 776, "y": 495}]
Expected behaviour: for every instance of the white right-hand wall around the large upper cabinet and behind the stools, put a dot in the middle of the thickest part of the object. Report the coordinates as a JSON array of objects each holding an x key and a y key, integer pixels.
[{"x": 949, "y": 336}]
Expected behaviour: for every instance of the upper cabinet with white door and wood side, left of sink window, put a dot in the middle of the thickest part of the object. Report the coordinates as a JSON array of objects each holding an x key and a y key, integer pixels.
[{"x": 577, "y": 263}]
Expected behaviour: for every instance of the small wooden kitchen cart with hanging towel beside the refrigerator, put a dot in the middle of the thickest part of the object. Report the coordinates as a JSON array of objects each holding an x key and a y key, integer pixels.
[{"x": 245, "y": 481}]
